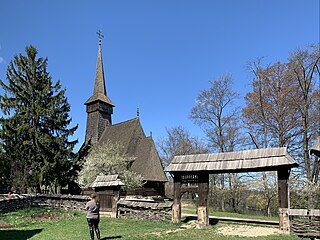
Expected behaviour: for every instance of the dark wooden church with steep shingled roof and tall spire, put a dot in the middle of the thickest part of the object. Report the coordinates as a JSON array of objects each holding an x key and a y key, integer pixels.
[{"x": 130, "y": 134}]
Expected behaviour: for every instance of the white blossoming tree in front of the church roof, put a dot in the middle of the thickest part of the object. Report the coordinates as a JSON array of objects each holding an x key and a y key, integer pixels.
[{"x": 108, "y": 159}]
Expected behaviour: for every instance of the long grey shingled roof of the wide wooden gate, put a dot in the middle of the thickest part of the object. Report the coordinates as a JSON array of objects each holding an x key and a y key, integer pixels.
[{"x": 242, "y": 161}]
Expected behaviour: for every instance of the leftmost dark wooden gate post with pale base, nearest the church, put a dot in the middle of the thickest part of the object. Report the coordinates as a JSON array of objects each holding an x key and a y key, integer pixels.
[{"x": 176, "y": 207}]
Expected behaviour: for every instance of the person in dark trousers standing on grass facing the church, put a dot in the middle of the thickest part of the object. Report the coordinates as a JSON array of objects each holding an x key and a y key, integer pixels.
[{"x": 93, "y": 216}]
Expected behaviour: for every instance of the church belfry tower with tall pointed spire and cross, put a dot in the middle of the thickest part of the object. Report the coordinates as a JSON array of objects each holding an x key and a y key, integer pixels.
[{"x": 98, "y": 107}]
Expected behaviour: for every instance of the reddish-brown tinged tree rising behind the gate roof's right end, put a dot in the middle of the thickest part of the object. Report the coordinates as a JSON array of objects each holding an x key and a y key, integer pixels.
[{"x": 270, "y": 115}]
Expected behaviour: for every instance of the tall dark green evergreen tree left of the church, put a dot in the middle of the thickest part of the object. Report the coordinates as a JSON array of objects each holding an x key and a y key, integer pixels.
[{"x": 35, "y": 127}]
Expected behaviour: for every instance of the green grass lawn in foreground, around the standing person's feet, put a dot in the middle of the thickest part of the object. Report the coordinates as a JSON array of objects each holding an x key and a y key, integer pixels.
[{"x": 58, "y": 225}]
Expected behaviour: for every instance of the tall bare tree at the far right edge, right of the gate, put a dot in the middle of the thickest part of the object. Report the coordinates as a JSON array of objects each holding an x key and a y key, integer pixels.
[{"x": 304, "y": 70}]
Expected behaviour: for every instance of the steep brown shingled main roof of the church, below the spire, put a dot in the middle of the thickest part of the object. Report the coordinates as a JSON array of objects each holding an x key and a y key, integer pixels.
[{"x": 131, "y": 135}]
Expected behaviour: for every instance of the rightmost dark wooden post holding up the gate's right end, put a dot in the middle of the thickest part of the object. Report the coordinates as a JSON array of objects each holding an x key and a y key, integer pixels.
[{"x": 283, "y": 196}]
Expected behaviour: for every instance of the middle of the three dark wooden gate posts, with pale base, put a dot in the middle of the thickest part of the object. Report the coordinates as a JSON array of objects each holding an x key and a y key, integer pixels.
[{"x": 203, "y": 217}]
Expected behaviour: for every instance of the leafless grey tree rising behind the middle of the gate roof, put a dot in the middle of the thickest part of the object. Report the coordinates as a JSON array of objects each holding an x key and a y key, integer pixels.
[{"x": 216, "y": 113}]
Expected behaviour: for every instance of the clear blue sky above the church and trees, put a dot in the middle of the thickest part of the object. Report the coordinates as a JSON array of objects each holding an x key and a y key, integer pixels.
[{"x": 157, "y": 54}]
